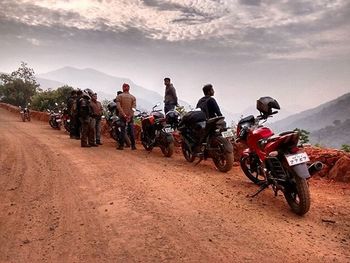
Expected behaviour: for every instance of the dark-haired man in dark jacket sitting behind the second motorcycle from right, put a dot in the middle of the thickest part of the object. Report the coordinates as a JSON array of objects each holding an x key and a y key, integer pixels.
[{"x": 208, "y": 104}]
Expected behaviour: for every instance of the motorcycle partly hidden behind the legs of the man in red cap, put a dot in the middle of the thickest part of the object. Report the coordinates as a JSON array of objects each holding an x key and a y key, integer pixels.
[{"x": 114, "y": 123}]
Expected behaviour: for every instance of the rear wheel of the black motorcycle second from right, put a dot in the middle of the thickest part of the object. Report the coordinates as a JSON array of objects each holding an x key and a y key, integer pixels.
[{"x": 222, "y": 159}]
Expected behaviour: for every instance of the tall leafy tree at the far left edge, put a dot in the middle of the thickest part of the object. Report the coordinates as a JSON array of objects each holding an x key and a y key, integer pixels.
[{"x": 18, "y": 87}]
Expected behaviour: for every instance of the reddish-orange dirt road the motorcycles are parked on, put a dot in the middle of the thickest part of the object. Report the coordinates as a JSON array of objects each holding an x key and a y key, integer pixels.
[{"x": 63, "y": 203}]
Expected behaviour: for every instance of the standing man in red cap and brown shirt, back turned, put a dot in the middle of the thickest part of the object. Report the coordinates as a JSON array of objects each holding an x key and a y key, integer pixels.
[{"x": 125, "y": 105}]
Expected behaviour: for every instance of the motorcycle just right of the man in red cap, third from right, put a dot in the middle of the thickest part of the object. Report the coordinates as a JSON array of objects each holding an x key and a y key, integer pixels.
[{"x": 156, "y": 132}]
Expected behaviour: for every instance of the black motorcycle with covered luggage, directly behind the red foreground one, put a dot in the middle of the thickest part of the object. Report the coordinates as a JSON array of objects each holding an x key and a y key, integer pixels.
[{"x": 205, "y": 139}]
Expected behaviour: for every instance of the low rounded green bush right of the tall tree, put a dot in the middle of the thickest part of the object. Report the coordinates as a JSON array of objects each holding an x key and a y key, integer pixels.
[{"x": 44, "y": 100}]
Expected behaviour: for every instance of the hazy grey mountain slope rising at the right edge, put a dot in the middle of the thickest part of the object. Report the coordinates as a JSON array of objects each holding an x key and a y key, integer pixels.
[{"x": 317, "y": 118}]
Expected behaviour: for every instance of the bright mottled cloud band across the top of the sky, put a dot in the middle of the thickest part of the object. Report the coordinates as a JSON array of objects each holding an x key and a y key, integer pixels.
[{"x": 272, "y": 28}]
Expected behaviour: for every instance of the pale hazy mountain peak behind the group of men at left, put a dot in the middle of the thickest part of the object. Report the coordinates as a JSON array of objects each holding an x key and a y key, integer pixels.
[{"x": 104, "y": 85}]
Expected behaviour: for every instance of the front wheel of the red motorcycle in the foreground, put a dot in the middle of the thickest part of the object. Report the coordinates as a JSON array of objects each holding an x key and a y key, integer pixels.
[{"x": 252, "y": 169}]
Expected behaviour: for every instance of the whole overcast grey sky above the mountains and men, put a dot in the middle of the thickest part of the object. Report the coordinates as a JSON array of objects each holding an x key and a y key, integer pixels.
[{"x": 296, "y": 51}]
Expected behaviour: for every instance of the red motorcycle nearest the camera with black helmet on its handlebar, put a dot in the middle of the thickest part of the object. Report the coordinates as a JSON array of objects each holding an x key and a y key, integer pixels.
[{"x": 275, "y": 160}]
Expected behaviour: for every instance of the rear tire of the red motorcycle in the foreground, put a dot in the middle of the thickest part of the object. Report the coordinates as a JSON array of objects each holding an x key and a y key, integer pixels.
[{"x": 297, "y": 195}]
